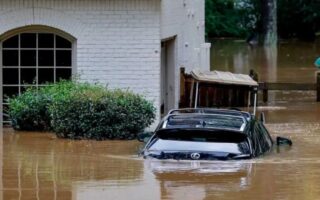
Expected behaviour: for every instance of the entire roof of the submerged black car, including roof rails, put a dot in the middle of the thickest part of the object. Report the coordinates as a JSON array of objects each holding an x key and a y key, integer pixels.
[{"x": 224, "y": 119}]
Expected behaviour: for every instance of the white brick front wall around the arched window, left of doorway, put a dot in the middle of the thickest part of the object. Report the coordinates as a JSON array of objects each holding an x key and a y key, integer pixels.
[{"x": 117, "y": 41}]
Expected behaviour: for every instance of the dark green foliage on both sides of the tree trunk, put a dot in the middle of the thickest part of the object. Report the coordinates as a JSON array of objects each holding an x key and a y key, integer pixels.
[{"x": 240, "y": 18}]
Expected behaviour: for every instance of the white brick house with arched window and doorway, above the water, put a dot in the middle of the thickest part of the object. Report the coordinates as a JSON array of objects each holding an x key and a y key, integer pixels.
[{"x": 138, "y": 45}]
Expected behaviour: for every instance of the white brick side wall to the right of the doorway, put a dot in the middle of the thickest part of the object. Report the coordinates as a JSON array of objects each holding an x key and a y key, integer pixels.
[{"x": 185, "y": 19}]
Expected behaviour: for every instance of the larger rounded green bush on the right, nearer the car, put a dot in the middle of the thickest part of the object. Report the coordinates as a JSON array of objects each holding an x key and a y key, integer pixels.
[{"x": 101, "y": 115}]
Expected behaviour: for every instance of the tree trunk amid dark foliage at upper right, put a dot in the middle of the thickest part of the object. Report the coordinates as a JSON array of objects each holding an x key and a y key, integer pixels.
[{"x": 269, "y": 22}]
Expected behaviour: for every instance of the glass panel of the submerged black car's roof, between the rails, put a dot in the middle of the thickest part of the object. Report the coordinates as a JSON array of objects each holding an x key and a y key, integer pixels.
[{"x": 205, "y": 121}]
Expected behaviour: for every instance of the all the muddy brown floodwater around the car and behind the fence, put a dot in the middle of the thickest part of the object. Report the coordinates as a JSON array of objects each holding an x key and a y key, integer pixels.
[{"x": 41, "y": 166}]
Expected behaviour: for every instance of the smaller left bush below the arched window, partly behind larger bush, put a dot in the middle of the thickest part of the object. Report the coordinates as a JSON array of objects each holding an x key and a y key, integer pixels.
[{"x": 29, "y": 111}]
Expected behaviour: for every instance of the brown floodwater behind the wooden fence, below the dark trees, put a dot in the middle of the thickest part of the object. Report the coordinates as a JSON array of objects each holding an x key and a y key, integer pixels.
[{"x": 290, "y": 62}]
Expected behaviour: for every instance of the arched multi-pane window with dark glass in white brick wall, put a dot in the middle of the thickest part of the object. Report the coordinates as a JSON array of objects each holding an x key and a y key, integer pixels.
[{"x": 33, "y": 59}]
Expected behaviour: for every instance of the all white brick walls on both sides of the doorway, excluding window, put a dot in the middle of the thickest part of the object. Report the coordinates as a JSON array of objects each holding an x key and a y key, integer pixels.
[{"x": 118, "y": 41}]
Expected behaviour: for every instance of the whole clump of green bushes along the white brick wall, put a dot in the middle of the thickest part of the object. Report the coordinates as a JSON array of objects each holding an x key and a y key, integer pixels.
[{"x": 80, "y": 110}]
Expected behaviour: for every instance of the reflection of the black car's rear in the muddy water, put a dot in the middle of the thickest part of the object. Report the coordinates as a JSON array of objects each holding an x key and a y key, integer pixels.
[{"x": 195, "y": 179}]
